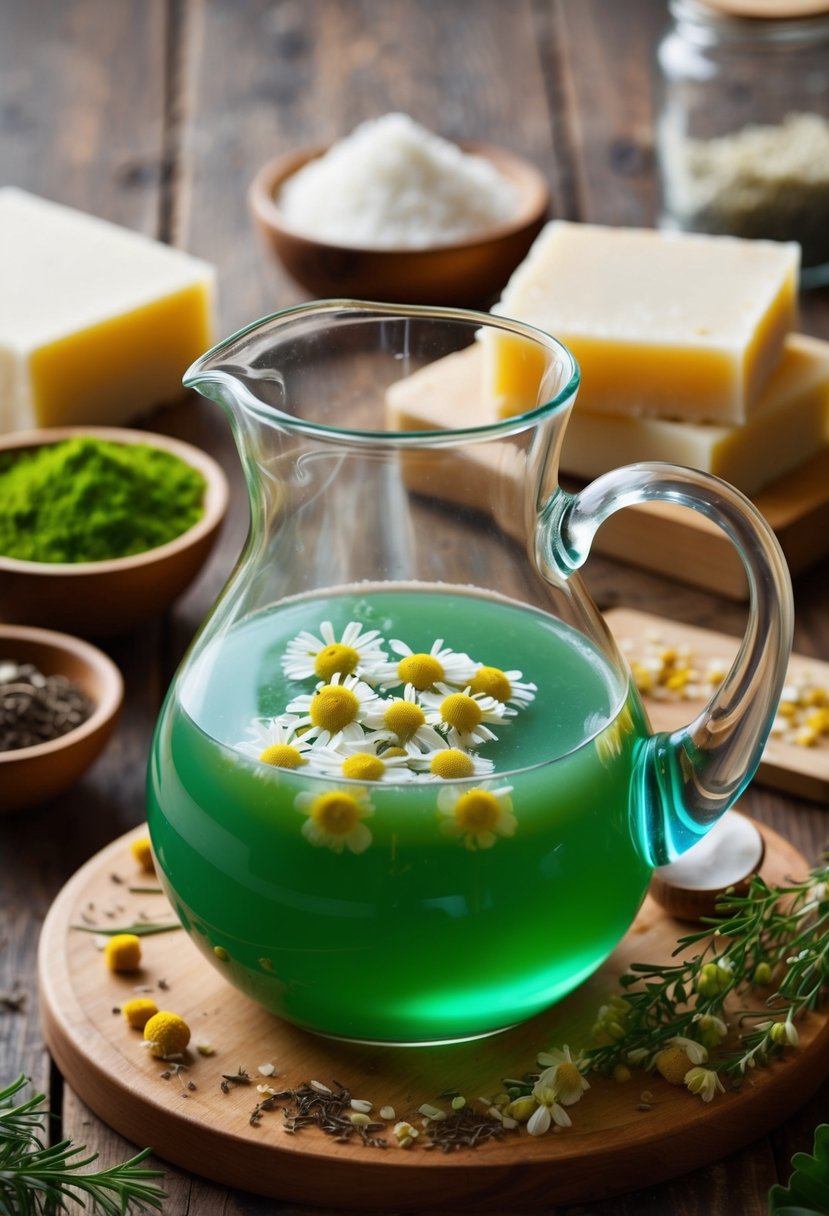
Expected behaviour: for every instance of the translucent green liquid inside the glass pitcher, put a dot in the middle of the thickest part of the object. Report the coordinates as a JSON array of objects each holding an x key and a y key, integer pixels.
[{"x": 420, "y": 938}]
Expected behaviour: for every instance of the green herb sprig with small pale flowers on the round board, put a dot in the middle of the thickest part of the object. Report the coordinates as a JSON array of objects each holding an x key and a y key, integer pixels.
[{"x": 772, "y": 939}]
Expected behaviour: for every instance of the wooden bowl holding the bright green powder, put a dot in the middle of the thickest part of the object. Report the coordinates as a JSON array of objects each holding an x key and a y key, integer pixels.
[{"x": 101, "y": 599}]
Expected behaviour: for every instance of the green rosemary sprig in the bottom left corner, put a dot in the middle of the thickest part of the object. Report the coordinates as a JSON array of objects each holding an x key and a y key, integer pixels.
[{"x": 36, "y": 1178}]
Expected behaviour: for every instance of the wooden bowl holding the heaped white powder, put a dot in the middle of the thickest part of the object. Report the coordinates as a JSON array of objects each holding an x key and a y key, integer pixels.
[{"x": 463, "y": 274}]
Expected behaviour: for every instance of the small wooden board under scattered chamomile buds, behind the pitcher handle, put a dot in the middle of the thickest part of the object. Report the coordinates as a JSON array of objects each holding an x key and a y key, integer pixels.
[{"x": 799, "y": 770}]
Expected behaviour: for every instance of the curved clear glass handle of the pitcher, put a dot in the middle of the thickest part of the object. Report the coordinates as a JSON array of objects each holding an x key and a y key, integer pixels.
[{"x": 687, "y": 779}]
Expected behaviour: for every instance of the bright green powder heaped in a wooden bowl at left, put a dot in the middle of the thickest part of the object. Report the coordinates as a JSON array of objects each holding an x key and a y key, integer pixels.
[{"x": 92, "y": 500}]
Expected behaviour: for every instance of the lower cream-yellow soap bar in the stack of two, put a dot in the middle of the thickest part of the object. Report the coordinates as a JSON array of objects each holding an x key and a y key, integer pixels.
[{"x": 791, "y": 424}]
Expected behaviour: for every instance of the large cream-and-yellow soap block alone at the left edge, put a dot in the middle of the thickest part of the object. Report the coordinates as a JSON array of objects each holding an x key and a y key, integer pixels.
[{"x": 98, "y": 324}]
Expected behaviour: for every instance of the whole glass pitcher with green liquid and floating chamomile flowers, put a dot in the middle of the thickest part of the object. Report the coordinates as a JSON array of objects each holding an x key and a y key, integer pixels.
[{"x": 403, "y": 789}]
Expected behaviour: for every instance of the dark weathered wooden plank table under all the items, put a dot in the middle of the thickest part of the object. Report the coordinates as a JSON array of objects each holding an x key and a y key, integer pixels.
[{"x": 156, "y": 114}]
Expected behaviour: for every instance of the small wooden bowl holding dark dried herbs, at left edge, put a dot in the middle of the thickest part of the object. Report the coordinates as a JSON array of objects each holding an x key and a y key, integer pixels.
[{"x": 30, "y": 776}]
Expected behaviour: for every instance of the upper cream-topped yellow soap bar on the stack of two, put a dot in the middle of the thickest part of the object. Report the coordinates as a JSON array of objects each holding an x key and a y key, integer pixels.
[{"x": 663, "y": 324}]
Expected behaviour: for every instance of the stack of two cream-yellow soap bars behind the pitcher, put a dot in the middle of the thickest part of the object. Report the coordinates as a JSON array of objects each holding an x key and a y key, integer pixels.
[{"x": 686, "y": 351}]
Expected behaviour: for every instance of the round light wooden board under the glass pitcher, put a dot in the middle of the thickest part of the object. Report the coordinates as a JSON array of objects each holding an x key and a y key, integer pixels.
[{"x": 613, "y": 1147}]
